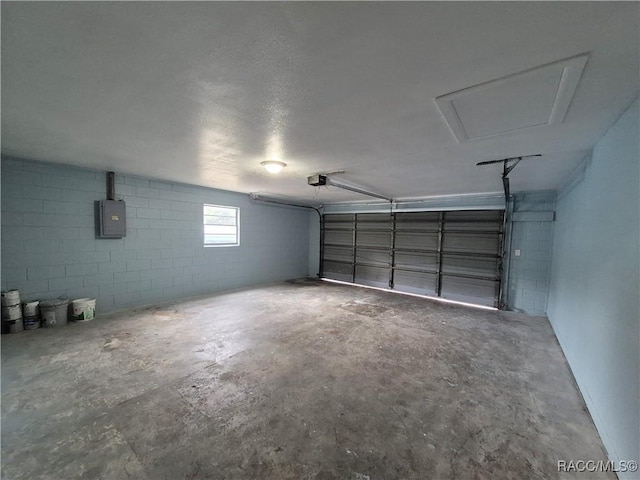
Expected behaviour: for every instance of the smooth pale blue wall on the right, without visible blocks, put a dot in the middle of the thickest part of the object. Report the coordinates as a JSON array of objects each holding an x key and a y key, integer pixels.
[{"x": 594, "y": 289}]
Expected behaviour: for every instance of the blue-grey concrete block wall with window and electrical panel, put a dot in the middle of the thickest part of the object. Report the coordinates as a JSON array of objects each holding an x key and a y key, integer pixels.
[{"x": 50, "y": 249}]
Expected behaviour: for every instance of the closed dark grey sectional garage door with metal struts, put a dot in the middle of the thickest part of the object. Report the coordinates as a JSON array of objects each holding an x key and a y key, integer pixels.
[{"x": 454, "y": 254}]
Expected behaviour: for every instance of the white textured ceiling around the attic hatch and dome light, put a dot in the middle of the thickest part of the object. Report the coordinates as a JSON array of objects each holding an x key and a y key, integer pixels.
[{"x": 202, "y": 92}]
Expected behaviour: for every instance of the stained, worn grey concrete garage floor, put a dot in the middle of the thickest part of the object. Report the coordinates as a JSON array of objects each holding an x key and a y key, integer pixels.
[{"x": 299, "y": 380}]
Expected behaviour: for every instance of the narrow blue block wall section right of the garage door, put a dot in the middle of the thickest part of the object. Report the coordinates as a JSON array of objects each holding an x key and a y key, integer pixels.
[{"x": 532, "y": 235}]
